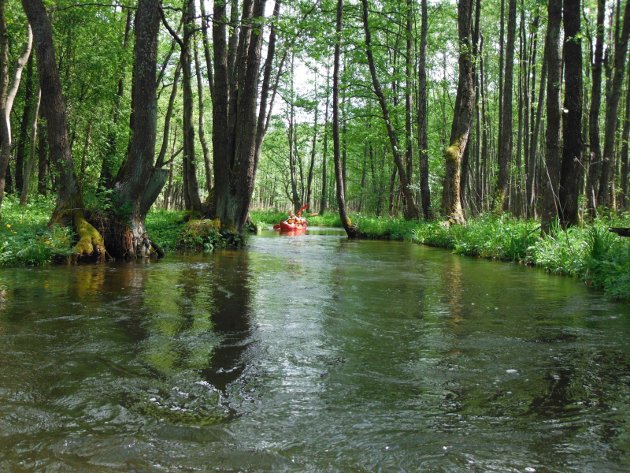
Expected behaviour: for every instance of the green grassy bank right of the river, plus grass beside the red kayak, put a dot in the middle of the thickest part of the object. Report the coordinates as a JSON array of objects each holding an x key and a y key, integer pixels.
[{"x": 589, "y": 253}]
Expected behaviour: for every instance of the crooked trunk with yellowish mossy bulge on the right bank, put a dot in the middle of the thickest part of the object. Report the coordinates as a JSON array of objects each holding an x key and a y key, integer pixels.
[{"x": 462, "y": 117}]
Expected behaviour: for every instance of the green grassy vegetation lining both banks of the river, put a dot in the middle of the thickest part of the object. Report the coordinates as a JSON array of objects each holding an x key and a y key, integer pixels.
[{"x": 589, "y": 253}]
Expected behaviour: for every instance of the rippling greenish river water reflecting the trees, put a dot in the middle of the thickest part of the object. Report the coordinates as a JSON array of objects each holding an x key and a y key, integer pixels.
[{"x": 311, "y": 353}]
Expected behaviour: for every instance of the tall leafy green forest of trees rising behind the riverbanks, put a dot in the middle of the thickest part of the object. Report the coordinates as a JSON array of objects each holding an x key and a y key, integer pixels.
[{"x": 408, "y": 111}]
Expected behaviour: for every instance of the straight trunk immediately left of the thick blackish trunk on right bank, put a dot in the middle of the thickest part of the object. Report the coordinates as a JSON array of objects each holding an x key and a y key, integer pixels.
[{"x": 552, "y": 172}]
